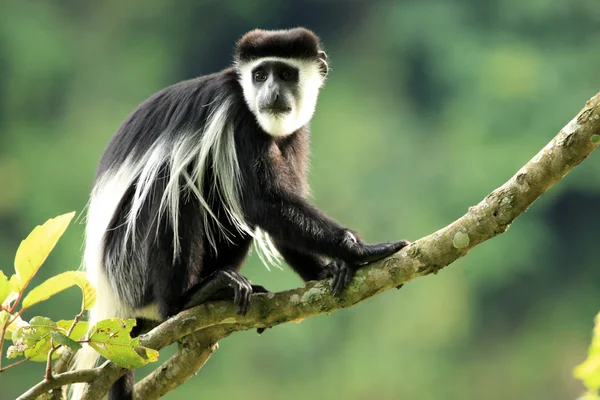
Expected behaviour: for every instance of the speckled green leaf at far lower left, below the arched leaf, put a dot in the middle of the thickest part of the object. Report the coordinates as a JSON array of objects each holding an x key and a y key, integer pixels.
[{"x": 33, "y": 340}]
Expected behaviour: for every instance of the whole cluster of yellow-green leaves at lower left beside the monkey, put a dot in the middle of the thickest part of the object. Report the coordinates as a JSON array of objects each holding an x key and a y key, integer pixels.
[{"x": 42, "y": 339}]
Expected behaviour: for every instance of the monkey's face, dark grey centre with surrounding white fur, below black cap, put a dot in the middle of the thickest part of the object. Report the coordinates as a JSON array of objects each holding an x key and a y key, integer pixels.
[{"x": 282, "y": 93}]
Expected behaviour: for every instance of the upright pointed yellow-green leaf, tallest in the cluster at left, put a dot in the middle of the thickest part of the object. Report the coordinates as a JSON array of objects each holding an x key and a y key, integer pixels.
[{"x": 34, "y": 250}]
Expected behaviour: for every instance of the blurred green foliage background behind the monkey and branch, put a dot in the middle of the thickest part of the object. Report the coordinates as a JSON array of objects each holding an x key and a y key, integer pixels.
[{"x": 429, "y": 106}]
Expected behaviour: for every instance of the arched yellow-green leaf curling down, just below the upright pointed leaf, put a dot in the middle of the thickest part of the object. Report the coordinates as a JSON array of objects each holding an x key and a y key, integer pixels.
[{"x": 57, "y": 284}]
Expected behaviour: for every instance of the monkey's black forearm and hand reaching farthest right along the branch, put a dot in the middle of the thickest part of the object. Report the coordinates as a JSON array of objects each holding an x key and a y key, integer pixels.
[{"x": 294, "y": 221}]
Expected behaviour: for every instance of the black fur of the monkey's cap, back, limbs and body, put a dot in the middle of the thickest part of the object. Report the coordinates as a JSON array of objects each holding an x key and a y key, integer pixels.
[{"x": 274, "y": 190}]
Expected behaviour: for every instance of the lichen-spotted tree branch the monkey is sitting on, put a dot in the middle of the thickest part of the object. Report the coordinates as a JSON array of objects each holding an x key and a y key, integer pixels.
[{"x": 491, "y": 217}]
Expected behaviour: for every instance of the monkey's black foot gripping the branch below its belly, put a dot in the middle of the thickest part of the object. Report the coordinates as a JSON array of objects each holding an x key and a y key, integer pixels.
[{"x": 221, "y": 285}]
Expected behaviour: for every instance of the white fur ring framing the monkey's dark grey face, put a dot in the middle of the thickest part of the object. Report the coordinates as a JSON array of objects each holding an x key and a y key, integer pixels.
[{"x": 310, "y": 81}]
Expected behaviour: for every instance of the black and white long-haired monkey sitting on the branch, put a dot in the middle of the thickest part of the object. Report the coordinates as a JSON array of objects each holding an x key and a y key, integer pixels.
[{"x": 200, "y": 171}]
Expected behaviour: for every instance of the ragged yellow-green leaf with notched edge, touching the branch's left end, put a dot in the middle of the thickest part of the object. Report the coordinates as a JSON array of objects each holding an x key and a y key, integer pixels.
[{"x": 111, "y": 338}]
